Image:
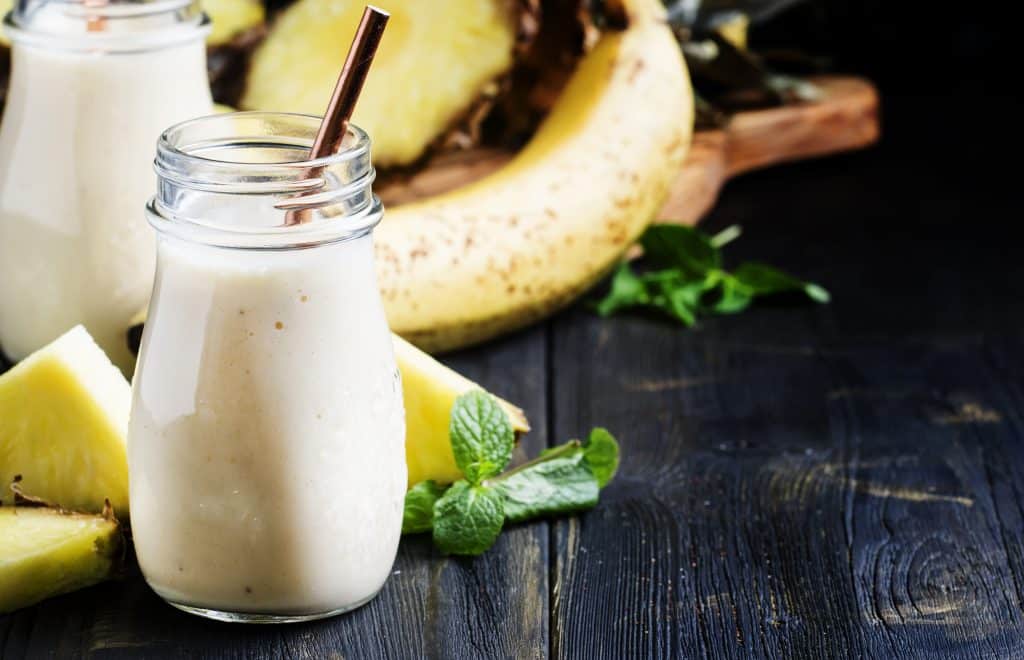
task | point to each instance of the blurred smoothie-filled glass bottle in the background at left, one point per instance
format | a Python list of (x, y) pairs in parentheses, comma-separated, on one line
[(93, 85)]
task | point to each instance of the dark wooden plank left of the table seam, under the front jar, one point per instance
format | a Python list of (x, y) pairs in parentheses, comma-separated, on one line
[(432, 606)]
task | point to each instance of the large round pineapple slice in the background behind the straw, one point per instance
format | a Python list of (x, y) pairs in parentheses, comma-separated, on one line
[(436, 60)]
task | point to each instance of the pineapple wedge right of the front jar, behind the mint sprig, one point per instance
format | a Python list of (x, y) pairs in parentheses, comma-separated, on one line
[(430, 390)]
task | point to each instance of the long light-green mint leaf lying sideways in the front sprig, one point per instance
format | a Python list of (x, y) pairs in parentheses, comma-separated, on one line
[(558, 486)]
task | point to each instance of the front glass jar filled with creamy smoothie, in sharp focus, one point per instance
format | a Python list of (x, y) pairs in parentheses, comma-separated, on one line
[(267, 436)]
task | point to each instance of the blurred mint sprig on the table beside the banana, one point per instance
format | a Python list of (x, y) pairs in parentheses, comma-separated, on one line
[(688, 280)]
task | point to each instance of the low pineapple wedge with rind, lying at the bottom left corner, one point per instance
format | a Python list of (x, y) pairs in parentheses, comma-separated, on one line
[(45, 553)]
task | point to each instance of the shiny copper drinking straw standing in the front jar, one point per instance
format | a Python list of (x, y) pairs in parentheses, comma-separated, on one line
[(347, 93)]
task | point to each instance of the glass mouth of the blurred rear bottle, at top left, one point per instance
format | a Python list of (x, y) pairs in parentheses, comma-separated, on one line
[(106, 26)]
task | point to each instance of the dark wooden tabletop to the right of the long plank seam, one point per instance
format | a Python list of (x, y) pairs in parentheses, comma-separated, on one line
[(808, 482)]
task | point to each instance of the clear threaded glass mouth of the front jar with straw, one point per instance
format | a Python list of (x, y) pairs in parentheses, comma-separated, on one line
[(245, 181)]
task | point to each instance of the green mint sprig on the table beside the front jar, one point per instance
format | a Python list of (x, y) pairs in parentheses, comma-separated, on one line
[(467, 517)]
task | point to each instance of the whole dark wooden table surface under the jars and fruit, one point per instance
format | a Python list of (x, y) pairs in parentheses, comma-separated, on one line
[(798, 482)]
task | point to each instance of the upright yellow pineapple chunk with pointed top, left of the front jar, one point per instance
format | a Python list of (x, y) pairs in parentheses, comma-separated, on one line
[(64, 419)]
